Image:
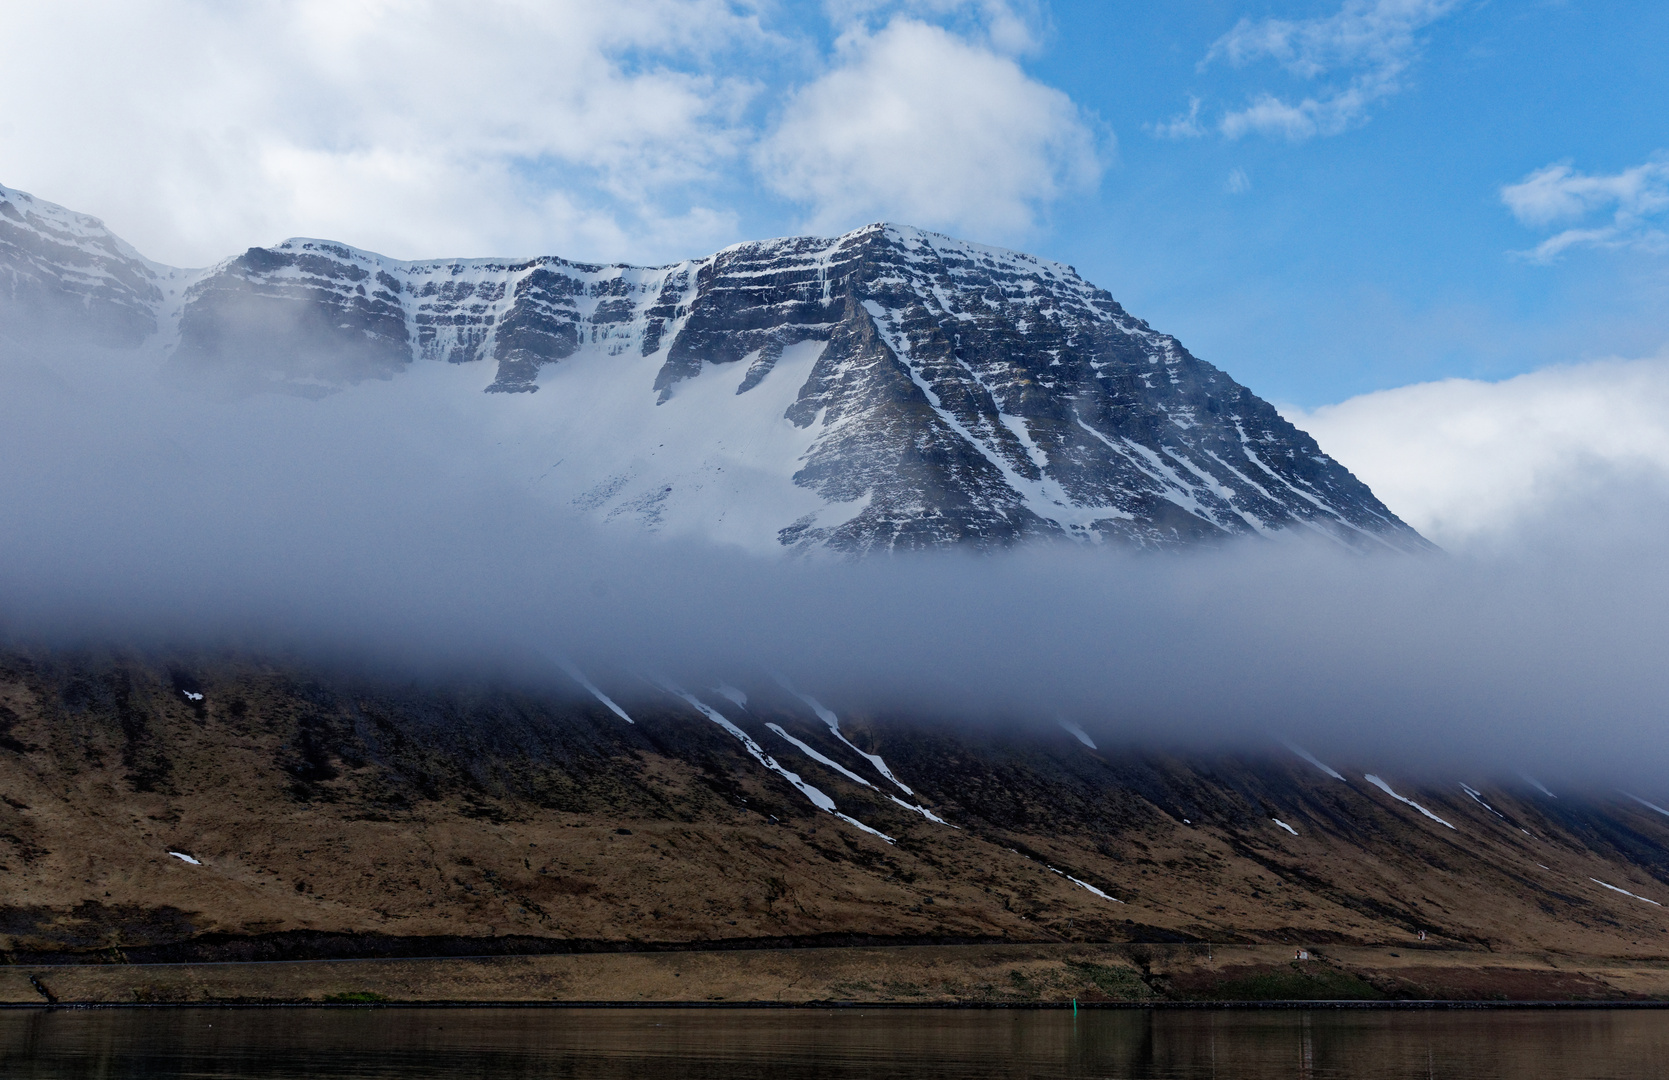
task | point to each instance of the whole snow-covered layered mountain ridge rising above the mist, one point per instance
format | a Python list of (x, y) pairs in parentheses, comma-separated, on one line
[(884, 390)]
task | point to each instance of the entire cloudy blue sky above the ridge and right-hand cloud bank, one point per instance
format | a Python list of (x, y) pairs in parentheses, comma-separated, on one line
[(1353, 235)]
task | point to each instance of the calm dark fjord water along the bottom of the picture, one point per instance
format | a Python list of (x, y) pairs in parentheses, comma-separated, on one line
[(834, 1046)]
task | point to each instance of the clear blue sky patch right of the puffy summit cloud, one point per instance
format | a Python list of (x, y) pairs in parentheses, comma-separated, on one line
[(1381, 255)]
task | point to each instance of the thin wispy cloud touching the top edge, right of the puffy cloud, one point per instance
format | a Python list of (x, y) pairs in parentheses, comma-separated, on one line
[(1368, 43)]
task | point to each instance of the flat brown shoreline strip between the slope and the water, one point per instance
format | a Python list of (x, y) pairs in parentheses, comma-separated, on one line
[(1014, 976)]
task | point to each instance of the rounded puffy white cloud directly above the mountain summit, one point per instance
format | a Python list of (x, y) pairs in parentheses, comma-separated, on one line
[(924, 126)]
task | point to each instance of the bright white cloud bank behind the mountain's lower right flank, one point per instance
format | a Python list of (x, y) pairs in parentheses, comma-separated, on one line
[(1470, 462)]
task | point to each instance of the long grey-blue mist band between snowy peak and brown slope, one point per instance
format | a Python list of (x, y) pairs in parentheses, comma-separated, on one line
[(410, 522)]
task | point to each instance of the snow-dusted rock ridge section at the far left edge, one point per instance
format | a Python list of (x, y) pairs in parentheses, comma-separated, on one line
[(66, 275)]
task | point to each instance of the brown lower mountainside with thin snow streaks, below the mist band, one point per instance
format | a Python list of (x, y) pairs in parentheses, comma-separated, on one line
[(326, 814)]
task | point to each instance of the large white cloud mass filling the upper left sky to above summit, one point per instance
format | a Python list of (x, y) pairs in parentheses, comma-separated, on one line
[(638, 129)]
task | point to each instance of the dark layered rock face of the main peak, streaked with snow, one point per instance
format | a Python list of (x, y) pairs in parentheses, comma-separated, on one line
[(991, 396)]
